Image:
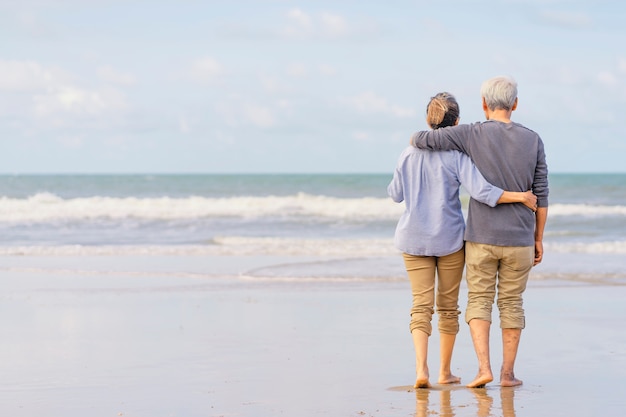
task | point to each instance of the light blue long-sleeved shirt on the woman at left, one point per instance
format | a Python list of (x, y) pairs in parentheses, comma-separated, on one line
[(428, 182)]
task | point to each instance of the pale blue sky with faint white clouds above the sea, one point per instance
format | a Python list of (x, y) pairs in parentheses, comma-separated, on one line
[(243, 86)]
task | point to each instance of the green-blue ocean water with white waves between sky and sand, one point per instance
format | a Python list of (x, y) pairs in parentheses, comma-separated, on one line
[(342, 225)]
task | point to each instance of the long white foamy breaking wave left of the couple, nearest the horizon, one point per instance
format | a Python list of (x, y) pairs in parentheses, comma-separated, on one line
[(45, 207)]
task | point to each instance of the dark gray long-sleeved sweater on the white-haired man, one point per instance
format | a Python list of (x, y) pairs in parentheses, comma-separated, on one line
[(509, 156)]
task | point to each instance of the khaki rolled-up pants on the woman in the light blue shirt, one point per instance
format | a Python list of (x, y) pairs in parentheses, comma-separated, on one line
[(449, 271)]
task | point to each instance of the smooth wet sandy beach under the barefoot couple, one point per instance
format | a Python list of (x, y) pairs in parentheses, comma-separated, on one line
[(179, 336)]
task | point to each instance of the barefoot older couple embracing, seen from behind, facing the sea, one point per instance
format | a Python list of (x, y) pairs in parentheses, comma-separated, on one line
[(503, 239)]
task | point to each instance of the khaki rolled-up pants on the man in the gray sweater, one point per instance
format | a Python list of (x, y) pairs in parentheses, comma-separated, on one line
[(501, 268)]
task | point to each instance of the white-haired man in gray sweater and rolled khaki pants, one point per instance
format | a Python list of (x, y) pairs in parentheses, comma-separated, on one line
[(503, 243)]
